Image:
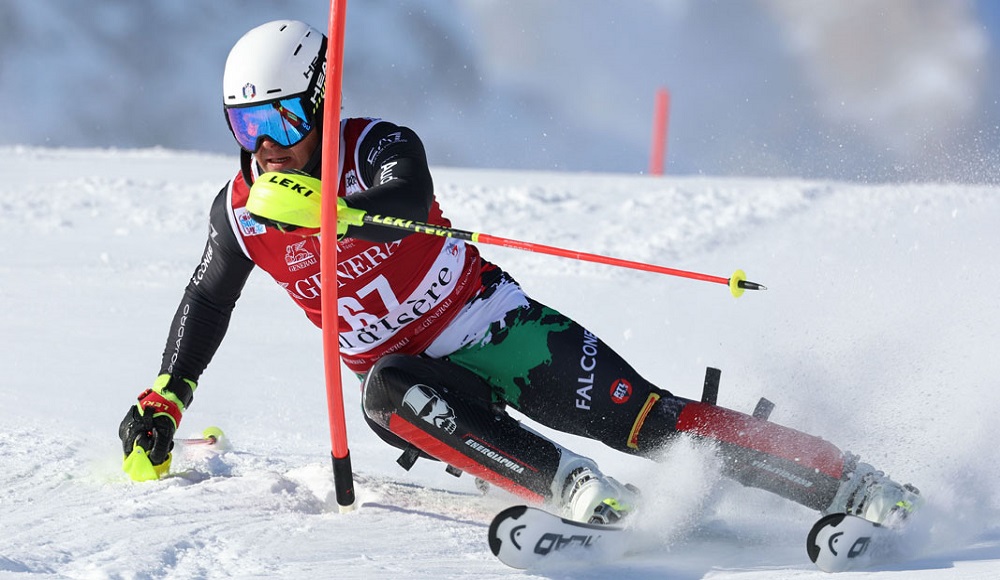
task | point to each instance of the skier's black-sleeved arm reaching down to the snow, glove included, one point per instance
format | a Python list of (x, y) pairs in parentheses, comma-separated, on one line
[(196, 332)]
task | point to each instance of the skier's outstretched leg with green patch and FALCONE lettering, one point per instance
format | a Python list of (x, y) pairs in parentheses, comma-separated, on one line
[(579, 385)]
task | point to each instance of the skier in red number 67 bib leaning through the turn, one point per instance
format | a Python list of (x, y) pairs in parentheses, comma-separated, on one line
[(444, 340)]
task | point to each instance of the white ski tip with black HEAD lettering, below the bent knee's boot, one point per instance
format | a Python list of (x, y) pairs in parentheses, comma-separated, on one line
[(526, 537)]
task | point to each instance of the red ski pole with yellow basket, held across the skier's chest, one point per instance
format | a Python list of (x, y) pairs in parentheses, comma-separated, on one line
[(737, 283)]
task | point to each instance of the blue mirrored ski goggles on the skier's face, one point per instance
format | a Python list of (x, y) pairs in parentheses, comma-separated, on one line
[(284, 121)]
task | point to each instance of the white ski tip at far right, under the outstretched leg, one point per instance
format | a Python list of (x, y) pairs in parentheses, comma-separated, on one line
[(840, 542)]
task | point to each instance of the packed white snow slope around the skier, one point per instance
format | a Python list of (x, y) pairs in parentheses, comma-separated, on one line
[(878, 331)]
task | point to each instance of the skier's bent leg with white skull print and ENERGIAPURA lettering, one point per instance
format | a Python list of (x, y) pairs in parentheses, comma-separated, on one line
[(444, 411)]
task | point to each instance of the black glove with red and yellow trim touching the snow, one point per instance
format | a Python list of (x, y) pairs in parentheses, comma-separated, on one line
[(147, 431)]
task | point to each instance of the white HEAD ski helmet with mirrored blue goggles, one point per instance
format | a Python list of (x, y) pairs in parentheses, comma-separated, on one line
[(281, 64)]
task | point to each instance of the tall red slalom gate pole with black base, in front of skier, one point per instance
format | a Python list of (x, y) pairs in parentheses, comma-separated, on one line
[(343, 477)]
